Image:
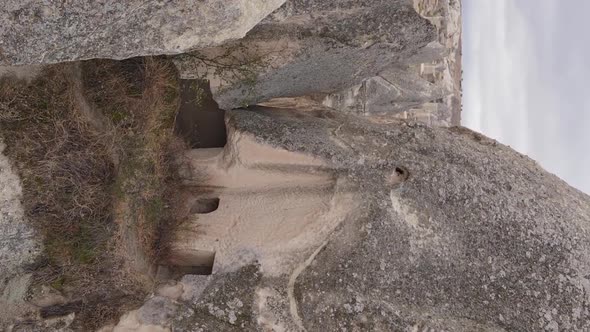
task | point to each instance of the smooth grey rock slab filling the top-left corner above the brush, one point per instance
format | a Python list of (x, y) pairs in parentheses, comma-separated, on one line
[(53, 31)]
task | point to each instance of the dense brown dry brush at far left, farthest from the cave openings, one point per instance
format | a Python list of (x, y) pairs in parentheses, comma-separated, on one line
[(64, 164)]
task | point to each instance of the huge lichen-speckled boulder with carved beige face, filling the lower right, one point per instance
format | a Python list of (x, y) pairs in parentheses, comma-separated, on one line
[(446, 230)]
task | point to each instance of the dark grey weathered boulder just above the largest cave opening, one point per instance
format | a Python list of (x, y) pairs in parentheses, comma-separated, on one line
[(311, 47)]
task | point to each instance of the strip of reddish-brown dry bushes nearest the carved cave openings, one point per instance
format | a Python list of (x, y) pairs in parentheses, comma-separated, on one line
[(144, 119)]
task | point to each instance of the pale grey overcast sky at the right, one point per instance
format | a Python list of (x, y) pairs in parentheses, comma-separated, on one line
[(526, 80)]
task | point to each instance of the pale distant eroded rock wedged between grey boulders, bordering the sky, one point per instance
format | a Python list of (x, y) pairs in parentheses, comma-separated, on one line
[(427, 88)]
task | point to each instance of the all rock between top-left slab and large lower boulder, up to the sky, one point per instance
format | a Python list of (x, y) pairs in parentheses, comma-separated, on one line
[(377, 57)]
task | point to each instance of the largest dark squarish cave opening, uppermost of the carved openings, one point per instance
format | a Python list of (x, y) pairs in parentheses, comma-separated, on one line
[(200, 121)]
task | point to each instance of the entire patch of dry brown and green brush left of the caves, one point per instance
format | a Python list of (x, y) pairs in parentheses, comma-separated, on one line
[(100, 196)]
